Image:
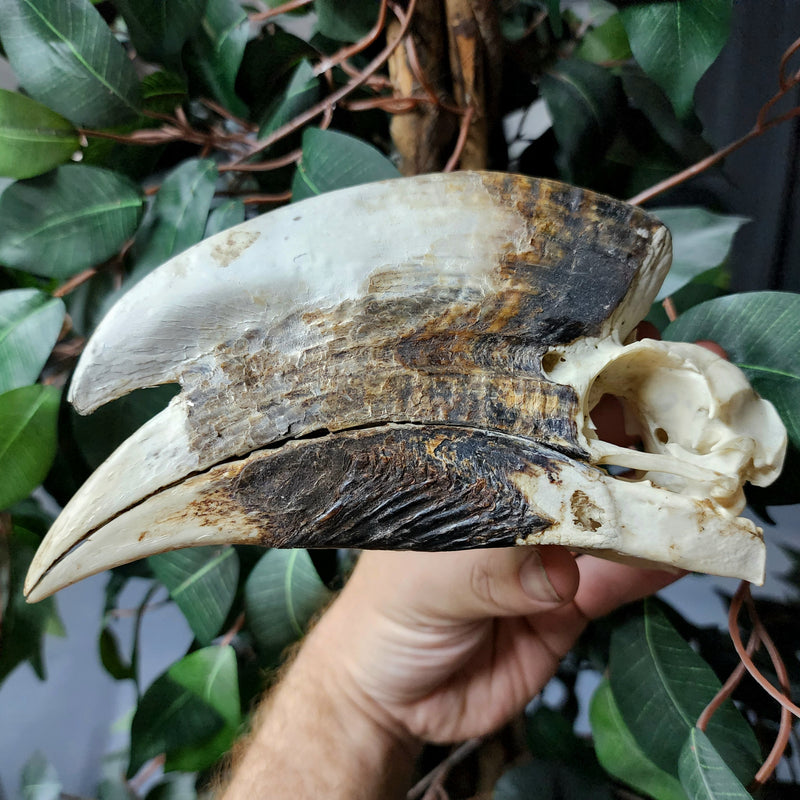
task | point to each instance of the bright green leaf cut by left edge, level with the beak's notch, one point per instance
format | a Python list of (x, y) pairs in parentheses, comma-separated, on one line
[(28, 418)]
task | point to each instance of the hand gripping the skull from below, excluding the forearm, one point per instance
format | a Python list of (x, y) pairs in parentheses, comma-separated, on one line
[(446, 646)]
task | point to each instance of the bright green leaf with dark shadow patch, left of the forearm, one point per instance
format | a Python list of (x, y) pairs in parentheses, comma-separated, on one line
[(190, 713)]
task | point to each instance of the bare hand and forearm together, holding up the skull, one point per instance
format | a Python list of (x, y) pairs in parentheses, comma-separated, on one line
[(450, 650)]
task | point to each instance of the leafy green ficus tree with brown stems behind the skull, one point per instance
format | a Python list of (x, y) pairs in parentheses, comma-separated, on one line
[(139, 129)]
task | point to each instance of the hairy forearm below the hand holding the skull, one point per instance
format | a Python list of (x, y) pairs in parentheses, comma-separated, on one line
[(314, 737)]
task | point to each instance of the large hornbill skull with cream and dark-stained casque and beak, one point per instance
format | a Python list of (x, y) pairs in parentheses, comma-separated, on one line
[(412, 365)]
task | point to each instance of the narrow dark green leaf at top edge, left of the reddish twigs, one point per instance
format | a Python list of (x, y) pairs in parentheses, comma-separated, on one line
[(215, 53)]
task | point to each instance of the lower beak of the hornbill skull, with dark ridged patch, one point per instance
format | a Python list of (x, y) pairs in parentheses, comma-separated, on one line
[(402, 487)]
